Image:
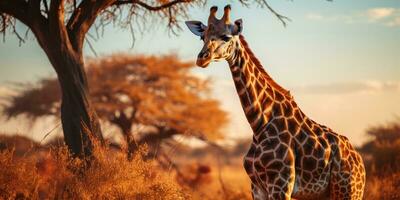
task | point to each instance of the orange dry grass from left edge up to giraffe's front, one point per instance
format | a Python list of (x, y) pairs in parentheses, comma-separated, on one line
[(52, 174)]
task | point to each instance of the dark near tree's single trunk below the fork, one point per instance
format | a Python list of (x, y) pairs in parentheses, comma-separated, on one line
[(79, 120)]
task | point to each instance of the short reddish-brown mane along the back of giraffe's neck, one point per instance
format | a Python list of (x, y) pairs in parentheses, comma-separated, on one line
[(258, 64)]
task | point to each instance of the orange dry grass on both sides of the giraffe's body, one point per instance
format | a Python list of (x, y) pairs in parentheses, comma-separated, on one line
[(43, 173)]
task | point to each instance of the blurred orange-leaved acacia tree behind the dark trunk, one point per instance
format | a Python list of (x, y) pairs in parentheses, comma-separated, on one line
[(158, 94)]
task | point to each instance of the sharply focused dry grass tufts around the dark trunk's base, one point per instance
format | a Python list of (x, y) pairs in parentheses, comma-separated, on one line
[(56, 176)]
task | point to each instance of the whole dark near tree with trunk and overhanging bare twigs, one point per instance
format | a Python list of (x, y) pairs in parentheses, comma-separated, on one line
[(60, 28)]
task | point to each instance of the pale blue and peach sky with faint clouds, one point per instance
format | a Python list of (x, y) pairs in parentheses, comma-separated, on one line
[(340, 59)]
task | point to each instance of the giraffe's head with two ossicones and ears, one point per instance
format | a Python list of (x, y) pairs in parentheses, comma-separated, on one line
[(218, 36)]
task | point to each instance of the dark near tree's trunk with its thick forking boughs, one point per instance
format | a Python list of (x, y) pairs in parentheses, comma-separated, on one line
[(63, 44)]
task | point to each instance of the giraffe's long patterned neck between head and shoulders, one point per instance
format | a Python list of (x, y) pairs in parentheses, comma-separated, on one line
[(260, 96)]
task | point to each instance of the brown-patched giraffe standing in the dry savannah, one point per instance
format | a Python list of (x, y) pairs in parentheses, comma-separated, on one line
[(291, 156)]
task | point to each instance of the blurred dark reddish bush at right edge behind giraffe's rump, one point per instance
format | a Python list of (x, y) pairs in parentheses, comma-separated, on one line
[(383, 150)]
